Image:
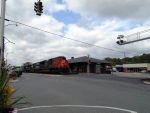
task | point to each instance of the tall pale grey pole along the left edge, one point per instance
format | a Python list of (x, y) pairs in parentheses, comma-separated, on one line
[(3, 4)]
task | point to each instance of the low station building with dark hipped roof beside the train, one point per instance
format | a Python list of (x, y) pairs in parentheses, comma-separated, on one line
[(80, 65)]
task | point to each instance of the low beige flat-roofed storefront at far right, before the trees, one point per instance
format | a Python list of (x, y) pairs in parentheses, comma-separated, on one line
[(136, 67)]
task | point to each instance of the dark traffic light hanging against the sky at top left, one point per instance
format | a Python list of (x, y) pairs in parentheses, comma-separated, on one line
[(38, 8)]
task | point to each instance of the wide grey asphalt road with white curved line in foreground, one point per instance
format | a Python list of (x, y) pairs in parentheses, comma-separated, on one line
[(83, 94)]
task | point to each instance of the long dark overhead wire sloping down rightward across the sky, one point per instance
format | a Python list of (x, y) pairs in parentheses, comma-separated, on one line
[(65, 37)]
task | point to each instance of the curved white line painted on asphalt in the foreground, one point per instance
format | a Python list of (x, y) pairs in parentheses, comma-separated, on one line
[(106, 107)]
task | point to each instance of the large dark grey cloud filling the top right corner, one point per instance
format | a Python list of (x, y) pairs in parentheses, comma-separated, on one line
[(128, 9)]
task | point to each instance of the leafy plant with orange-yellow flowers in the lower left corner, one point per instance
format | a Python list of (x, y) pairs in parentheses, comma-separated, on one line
[(6, 92)]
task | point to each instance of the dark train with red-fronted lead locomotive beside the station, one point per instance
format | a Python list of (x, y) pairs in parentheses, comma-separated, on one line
[(55, 65)]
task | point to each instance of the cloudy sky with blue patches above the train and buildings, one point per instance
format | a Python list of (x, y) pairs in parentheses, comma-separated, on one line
[(97, 22)]
